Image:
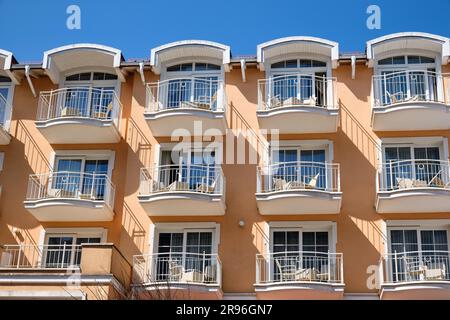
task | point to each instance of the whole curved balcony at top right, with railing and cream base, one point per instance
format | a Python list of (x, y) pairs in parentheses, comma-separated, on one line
[(411, 100)]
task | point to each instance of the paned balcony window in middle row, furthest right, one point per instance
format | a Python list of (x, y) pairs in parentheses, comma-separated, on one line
[(413, 166)]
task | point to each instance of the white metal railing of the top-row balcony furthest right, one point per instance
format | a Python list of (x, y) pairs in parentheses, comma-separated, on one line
[(410, 85)]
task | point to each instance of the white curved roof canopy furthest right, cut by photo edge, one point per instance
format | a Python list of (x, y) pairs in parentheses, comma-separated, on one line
[(404, 41)]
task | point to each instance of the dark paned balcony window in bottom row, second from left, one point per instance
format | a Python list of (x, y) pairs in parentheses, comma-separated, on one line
[(184, 254)]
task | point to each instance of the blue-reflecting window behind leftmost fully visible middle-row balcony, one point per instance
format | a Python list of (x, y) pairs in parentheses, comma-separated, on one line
[(80, 177)]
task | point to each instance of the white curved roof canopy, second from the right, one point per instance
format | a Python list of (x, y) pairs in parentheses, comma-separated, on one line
[(298, 44)]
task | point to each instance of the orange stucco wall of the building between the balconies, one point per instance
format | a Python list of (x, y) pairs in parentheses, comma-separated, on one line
[(359, 235)]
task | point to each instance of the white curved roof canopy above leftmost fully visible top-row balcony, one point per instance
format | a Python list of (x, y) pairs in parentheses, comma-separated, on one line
[(80, 55)]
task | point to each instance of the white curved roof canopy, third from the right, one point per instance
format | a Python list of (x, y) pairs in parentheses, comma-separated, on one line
[(162, 55)]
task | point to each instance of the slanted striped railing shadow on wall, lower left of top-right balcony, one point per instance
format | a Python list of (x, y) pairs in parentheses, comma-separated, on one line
[(358, 135)]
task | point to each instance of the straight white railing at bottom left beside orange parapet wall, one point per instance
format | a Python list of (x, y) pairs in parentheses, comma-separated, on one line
[(31, 256)]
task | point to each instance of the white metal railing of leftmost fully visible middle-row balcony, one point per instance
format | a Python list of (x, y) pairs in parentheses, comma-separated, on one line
[(71, 185)]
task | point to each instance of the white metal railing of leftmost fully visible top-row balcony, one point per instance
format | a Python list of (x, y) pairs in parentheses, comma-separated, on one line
[(80, 102)]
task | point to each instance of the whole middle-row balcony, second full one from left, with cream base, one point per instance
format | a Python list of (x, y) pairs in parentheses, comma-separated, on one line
[(183, 190)]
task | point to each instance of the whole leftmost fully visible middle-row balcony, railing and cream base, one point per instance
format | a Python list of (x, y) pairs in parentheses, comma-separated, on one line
[(70, 196)]
